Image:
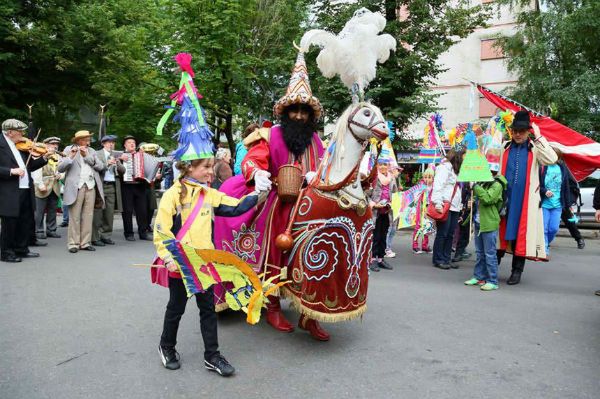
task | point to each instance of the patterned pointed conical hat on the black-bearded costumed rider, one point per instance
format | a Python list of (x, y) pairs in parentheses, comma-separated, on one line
[(299, 91)]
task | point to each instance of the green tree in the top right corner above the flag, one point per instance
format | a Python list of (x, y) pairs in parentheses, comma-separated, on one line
[(556, 54)]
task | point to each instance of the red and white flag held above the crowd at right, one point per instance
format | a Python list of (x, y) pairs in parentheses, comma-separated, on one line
[(581, 154)]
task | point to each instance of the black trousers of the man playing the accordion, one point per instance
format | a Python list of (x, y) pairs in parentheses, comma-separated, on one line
[(134, 198)]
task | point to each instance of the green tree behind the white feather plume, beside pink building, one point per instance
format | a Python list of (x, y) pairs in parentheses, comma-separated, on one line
[(428, 29)]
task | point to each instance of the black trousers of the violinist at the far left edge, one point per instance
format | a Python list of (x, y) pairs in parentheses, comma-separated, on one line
[(16, 231)]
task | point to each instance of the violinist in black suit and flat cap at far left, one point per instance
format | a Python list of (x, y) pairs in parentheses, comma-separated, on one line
[(18, 158)]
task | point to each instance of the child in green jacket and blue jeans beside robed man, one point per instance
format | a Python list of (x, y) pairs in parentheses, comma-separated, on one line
[(489, 200)]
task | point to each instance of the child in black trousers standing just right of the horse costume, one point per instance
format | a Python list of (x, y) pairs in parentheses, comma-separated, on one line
[(385, 186)]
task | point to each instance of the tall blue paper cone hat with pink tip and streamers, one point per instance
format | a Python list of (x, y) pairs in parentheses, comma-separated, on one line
[(194, 136)]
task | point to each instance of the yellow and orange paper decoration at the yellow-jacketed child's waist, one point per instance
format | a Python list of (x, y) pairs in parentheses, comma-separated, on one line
[(202, 268)]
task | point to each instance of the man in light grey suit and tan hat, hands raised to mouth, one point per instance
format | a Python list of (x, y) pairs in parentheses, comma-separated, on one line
[(82, 185)]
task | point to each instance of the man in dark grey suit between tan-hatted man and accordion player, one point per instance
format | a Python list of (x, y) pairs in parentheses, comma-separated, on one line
[(103, 218)]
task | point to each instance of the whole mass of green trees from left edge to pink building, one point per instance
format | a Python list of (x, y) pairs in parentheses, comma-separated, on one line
[(69, 56)]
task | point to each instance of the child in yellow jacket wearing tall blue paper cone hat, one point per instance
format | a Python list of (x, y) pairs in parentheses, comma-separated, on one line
[(185, 213)]
